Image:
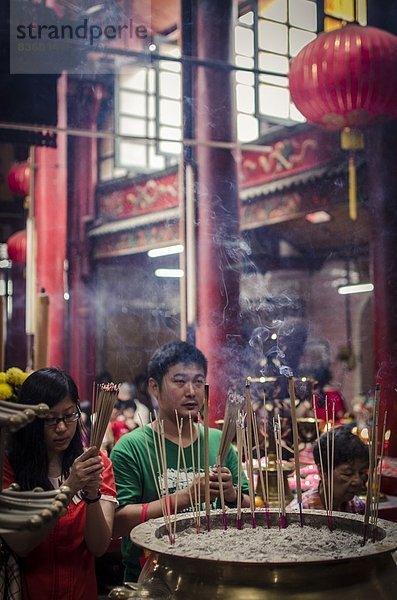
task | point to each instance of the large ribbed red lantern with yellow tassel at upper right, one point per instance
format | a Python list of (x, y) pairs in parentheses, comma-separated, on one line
[(344, 80)]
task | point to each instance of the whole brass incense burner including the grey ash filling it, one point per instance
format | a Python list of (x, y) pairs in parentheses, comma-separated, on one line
[(268, 564)]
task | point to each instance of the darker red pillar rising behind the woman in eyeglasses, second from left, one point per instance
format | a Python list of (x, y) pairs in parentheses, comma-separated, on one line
[(84, 103)]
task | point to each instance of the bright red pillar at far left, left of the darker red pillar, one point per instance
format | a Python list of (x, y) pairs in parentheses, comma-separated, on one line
[(50, 210)]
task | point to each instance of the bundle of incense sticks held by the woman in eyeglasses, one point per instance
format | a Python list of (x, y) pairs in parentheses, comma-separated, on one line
[(103, 401)]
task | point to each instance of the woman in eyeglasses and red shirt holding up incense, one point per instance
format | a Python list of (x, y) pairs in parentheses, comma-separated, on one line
[(57, 561)]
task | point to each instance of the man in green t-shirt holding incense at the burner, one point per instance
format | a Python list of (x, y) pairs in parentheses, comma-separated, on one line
[(177, 374)]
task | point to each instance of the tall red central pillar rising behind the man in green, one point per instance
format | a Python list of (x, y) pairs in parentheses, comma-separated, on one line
[(217, 202)]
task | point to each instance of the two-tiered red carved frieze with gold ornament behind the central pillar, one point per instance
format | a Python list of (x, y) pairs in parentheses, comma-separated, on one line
[(283, 159)]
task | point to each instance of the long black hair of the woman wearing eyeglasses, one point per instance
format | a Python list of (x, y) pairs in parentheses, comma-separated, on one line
[(26, 449)]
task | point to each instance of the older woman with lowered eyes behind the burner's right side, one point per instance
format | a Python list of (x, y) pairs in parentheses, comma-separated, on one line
[(351, 461)]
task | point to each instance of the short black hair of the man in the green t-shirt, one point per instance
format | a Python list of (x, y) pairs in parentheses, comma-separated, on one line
[(171, 354)]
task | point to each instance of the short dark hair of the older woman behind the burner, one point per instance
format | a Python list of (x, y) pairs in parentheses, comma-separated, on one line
[(348, 448)]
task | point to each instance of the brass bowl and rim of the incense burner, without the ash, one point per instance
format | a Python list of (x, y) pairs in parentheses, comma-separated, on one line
[(302, 575)]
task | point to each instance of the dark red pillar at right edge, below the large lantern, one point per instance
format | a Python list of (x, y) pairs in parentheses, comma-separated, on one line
[(382, 152)]
